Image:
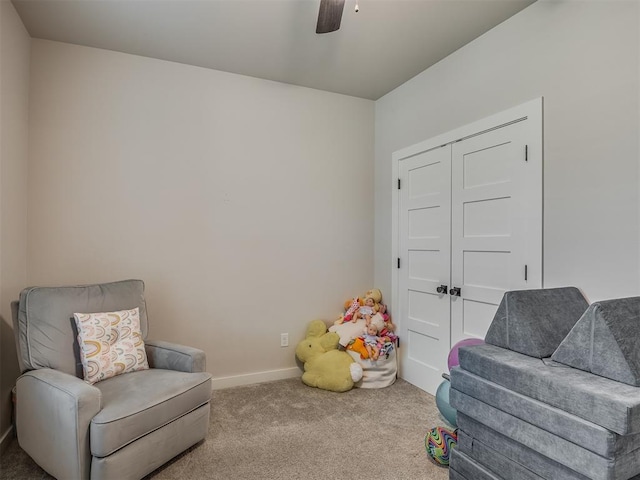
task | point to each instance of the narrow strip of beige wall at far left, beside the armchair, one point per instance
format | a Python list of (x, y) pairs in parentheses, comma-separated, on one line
[(14, 104)]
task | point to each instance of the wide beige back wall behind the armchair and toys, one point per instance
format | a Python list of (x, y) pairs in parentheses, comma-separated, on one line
[(245, 205)]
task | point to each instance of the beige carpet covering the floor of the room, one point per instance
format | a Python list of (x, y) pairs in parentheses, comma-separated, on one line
[(286, 430)]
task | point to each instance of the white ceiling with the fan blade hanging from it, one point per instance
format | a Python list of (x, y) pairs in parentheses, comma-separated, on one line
[(377, 49)]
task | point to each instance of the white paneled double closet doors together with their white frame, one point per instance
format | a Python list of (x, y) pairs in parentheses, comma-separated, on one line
[(469, 223)]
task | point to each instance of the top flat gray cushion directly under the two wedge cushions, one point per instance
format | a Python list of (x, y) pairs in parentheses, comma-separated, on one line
[(610, 404)]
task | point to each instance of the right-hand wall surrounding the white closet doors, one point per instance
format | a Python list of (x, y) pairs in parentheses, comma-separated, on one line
[(582, 57)]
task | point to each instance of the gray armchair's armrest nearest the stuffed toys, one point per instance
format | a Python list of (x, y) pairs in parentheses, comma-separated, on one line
[(171, 356)]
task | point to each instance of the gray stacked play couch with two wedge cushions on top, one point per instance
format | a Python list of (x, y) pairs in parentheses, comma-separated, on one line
[(553, 393)]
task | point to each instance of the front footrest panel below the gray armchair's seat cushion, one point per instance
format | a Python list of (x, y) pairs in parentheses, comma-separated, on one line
[(151, 451)]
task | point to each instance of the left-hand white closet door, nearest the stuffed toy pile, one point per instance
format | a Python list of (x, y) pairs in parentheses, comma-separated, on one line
[(425, 232)]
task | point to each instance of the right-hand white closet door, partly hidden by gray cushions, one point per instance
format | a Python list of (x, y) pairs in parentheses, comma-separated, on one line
[(496, 219)]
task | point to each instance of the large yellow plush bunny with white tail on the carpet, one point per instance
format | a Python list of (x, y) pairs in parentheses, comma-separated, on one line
[(325, 366)]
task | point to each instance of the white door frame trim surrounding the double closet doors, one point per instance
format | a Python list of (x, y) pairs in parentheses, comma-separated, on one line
[(532, 110)]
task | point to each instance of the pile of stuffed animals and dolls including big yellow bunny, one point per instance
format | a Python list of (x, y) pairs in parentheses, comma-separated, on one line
[(330, 368)]
